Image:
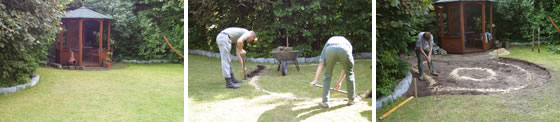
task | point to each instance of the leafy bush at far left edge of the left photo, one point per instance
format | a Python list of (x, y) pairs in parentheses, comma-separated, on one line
[(26, 29)]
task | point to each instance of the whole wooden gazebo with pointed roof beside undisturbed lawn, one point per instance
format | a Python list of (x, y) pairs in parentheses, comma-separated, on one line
[(85, 39)]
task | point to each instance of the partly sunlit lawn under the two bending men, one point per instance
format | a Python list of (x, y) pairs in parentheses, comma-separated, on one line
[(209, 100)]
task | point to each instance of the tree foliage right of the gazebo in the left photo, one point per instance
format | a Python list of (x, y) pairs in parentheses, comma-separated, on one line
[(138, 27)]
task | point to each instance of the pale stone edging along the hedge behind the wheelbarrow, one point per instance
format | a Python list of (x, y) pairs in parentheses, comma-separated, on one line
[(273, 60)]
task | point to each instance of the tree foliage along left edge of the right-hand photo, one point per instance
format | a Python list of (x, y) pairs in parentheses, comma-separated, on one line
[(398, 22)]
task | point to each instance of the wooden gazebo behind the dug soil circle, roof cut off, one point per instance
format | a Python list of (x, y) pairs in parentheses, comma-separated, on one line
[(463, 25)]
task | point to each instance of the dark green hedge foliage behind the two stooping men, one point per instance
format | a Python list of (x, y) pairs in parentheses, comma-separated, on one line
[(307, 24)]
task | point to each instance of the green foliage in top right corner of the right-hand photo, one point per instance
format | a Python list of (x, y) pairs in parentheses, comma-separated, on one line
[(515, 20)]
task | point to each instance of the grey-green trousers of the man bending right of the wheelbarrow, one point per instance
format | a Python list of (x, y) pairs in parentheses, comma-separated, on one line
[(343, 55)]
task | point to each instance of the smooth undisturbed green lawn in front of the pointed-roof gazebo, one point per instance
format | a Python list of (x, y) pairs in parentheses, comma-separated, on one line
[(137, 93)]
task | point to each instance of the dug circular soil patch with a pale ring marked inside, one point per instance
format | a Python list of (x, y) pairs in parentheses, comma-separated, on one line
[(463, 74)]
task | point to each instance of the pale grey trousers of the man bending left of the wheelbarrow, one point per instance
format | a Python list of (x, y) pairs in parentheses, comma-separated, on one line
[(224, 44)]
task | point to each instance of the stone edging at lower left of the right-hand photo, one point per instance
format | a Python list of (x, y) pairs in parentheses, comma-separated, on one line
[(401, 88)]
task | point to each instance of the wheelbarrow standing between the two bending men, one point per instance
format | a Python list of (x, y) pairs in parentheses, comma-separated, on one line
[(283, 57)]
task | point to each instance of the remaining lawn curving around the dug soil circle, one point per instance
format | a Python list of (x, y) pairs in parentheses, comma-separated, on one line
[(539, 104)]
